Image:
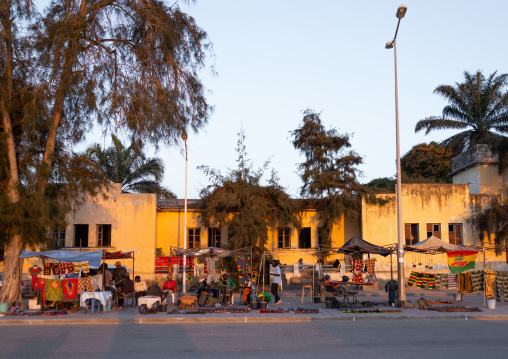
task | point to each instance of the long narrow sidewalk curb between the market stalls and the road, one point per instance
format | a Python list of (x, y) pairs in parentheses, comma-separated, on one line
[(179, 320)]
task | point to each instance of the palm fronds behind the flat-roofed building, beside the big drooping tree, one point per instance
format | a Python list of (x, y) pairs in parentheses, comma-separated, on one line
[(130, 167)]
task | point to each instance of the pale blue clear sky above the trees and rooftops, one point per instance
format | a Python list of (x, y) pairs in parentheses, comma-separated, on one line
[(277, 58)]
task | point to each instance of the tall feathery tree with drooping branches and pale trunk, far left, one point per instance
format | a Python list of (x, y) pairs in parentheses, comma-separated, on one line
[(128, 65)]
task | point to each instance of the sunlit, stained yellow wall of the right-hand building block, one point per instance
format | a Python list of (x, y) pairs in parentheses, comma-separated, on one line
[(442, 204)]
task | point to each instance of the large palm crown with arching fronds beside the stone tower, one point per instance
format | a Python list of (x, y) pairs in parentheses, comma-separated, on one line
[(479, 106)]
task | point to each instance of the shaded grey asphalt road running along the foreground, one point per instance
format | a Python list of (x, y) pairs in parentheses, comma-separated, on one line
[(361, 339)]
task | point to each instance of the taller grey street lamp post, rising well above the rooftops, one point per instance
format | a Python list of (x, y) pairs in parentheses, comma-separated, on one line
[(401, 11)]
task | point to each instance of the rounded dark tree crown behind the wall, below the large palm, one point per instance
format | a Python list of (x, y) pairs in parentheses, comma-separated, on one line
[(427, 163)]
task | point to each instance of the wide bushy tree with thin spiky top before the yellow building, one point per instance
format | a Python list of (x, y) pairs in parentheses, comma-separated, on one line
[(240, 202)]
